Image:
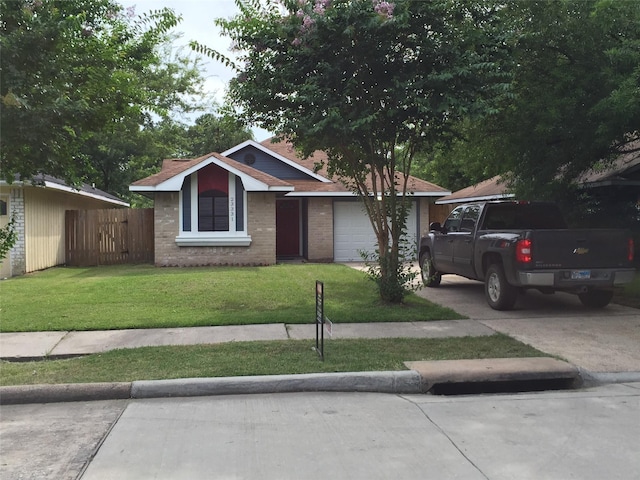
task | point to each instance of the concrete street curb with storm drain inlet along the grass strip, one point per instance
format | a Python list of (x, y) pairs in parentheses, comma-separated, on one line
[(421, 378)]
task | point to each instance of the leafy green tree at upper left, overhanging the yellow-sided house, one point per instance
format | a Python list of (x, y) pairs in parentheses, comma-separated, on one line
[(74, 77)]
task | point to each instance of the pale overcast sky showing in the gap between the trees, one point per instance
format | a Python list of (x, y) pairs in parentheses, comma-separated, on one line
[(197, 24)]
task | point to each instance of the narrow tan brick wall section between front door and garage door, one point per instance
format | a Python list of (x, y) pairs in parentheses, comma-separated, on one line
[(320, 229)]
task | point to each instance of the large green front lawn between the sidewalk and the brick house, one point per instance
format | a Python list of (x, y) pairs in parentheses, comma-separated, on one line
[(118, 297)]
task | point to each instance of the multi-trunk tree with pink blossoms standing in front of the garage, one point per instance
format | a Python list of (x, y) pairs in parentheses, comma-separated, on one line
[(369, 82)]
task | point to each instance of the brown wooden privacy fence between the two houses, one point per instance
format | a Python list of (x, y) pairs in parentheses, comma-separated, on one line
[(108, 237)]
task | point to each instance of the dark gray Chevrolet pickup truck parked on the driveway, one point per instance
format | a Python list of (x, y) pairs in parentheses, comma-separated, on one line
[(513, 246)]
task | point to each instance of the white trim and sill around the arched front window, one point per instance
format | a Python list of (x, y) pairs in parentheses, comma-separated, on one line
[(230, 238)]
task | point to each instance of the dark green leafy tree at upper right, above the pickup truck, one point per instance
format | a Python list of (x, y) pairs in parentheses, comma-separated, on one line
[(575, 103)]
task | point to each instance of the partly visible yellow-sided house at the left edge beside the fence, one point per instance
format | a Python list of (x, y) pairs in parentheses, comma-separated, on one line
[(39, 209)]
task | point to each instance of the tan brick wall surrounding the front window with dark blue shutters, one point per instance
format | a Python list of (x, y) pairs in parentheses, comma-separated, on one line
[(261, 228)]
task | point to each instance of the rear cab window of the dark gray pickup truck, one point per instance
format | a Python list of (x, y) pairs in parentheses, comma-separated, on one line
[(518, 216)]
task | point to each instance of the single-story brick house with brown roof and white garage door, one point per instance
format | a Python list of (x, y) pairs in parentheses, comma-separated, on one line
[(259, 202)]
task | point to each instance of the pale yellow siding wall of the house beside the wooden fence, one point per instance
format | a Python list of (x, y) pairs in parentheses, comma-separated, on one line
[(44, 224)]
